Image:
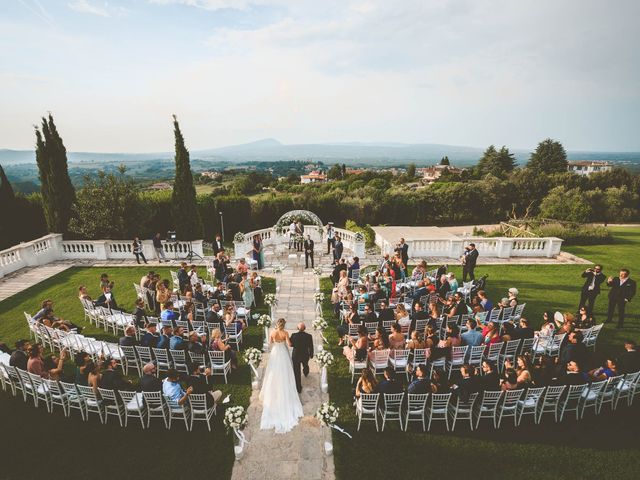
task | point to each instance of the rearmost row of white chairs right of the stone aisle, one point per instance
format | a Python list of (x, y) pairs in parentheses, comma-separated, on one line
[(496, 405)]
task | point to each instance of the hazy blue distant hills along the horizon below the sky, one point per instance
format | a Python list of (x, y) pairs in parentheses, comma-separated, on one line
[(351, 153)]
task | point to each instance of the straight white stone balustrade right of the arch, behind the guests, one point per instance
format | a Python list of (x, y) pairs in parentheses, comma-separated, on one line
[(501, 247)]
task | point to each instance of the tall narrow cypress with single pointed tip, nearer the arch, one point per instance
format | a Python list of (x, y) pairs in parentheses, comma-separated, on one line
[(186, 217)]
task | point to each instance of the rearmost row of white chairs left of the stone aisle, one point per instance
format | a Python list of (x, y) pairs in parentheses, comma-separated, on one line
[(118, 403)]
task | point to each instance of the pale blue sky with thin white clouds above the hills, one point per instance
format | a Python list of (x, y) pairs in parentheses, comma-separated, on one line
[(460, 72)]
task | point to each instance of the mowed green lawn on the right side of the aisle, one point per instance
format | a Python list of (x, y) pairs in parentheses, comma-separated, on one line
[(600, 447)]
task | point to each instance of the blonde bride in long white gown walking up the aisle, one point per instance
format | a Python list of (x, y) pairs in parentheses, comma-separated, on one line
[(281, 405)]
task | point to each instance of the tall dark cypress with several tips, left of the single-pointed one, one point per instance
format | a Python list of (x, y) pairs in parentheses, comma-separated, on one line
[(57, 190)]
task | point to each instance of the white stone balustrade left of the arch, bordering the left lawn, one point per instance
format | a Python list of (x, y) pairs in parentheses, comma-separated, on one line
[(51, 248)]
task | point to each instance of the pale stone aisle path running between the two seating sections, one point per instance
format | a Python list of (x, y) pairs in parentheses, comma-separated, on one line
[(298, 454)]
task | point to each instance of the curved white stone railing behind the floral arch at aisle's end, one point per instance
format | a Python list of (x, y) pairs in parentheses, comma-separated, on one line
[(270, 236)]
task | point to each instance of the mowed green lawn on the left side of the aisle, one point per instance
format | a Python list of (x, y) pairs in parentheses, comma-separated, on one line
[(36, 443)]
